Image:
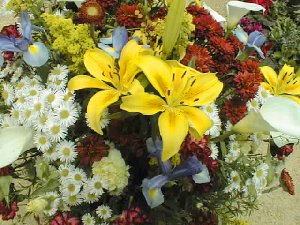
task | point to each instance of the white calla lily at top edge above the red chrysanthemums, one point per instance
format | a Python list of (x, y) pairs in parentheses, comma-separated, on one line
[(235, 10)]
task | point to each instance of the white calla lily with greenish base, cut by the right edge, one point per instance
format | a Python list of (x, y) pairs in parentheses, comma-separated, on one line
[(277, 114)]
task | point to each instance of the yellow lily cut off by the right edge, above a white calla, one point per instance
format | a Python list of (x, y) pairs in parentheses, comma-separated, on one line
[(286, 84)]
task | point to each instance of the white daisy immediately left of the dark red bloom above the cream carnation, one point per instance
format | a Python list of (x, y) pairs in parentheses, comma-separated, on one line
[(66, 151)]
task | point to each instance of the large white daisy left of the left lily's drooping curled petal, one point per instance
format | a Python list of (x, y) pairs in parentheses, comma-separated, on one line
[(66, 113)]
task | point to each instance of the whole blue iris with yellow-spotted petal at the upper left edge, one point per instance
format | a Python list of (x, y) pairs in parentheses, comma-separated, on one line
[(34, 54)]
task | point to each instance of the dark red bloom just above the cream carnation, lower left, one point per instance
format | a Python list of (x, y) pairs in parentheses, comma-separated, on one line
[(90, 149)]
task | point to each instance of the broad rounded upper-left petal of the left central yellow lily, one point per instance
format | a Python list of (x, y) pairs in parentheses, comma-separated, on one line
[(99, 64)]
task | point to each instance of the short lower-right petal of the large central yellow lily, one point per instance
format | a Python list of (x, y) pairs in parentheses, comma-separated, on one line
[(198, 120)]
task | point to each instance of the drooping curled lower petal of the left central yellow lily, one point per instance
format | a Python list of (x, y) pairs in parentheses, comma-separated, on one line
[(97, 104)]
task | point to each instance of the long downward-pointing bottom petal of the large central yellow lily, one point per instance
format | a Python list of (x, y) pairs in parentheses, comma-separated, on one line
[(173, 128)]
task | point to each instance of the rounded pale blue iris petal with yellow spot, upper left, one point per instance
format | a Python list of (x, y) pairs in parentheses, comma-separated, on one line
[(36, 55)]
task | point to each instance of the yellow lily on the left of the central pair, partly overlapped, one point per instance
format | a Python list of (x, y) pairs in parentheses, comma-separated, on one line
[(113, 80)]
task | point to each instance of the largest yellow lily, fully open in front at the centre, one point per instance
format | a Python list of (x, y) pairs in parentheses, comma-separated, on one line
[(181, 88)]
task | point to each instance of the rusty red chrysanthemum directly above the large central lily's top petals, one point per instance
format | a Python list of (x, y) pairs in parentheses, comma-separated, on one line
[(202, 57)]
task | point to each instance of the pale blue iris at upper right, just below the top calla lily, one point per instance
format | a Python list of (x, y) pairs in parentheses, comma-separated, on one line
[(254, 40)]
